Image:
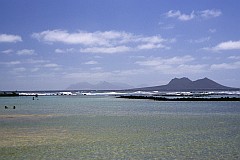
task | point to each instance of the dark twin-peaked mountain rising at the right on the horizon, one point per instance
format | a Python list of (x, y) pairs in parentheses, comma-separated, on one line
[(185, 84)]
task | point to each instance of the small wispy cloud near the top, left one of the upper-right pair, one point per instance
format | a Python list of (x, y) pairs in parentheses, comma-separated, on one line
[(180, 16)]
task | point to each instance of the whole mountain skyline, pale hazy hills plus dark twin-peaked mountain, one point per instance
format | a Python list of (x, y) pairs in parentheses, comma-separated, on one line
[(175, 84)]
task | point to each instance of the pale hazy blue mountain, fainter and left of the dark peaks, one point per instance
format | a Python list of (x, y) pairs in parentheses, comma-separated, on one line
[(99, 86)]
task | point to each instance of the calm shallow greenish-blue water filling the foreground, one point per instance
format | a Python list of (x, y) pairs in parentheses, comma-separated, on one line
[(106, 127)]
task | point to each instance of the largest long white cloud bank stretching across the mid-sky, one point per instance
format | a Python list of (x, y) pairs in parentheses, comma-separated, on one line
[(102, 42)]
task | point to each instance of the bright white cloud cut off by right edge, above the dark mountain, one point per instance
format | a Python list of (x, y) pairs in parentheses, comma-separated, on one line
[(229, 45)]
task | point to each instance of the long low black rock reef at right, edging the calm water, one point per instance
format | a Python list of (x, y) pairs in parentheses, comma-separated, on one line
[(181, 99)]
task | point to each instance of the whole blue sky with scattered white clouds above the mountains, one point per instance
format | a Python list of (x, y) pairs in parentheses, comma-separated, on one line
[(51, 44)]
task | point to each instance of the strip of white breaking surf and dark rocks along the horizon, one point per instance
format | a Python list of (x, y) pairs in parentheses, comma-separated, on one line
[(151, 95)]
